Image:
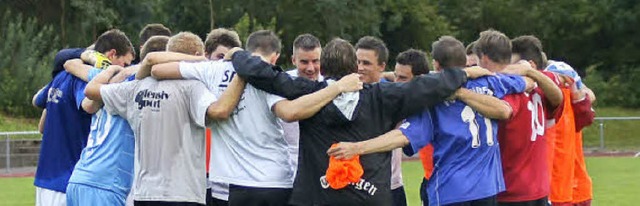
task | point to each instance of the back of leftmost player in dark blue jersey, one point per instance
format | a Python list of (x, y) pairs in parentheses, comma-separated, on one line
[(65, 131)]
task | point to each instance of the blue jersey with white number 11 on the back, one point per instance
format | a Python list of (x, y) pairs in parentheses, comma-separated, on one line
[(466, 153)]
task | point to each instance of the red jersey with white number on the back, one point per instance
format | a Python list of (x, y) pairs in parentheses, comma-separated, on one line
[(523, 146)]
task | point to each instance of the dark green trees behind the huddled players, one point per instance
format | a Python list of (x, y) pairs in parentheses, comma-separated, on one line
[(597, 34)]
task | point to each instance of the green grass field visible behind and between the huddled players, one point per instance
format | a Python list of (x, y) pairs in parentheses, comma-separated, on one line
[(616, 181)]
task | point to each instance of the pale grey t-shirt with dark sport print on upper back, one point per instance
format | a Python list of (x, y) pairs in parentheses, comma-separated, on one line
[(168, 120)]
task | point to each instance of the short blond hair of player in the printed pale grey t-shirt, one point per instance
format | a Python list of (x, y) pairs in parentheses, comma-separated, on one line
[(186, 43)]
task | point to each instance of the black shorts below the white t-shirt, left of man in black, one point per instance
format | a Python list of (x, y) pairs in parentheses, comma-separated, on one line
[(250, 196)]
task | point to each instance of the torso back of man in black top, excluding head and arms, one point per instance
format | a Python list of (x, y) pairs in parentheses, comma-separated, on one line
[(320, 131)]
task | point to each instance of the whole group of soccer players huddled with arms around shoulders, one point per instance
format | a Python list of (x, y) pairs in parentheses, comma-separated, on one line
[(503, 132)]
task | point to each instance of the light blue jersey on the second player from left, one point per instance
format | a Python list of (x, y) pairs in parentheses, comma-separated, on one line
[(107, 160)]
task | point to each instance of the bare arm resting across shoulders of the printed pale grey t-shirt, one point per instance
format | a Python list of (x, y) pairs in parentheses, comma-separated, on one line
[(154, 58)]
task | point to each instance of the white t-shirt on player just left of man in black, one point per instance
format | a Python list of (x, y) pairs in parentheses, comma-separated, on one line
[(249, 148)]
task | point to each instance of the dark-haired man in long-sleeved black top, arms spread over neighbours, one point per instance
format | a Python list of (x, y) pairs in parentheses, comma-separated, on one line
[(351, 117)]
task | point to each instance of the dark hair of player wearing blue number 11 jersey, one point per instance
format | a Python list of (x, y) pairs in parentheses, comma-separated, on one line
[(449, 52)]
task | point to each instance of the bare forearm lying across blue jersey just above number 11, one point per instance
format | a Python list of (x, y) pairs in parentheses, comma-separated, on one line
[(489, 106)]
